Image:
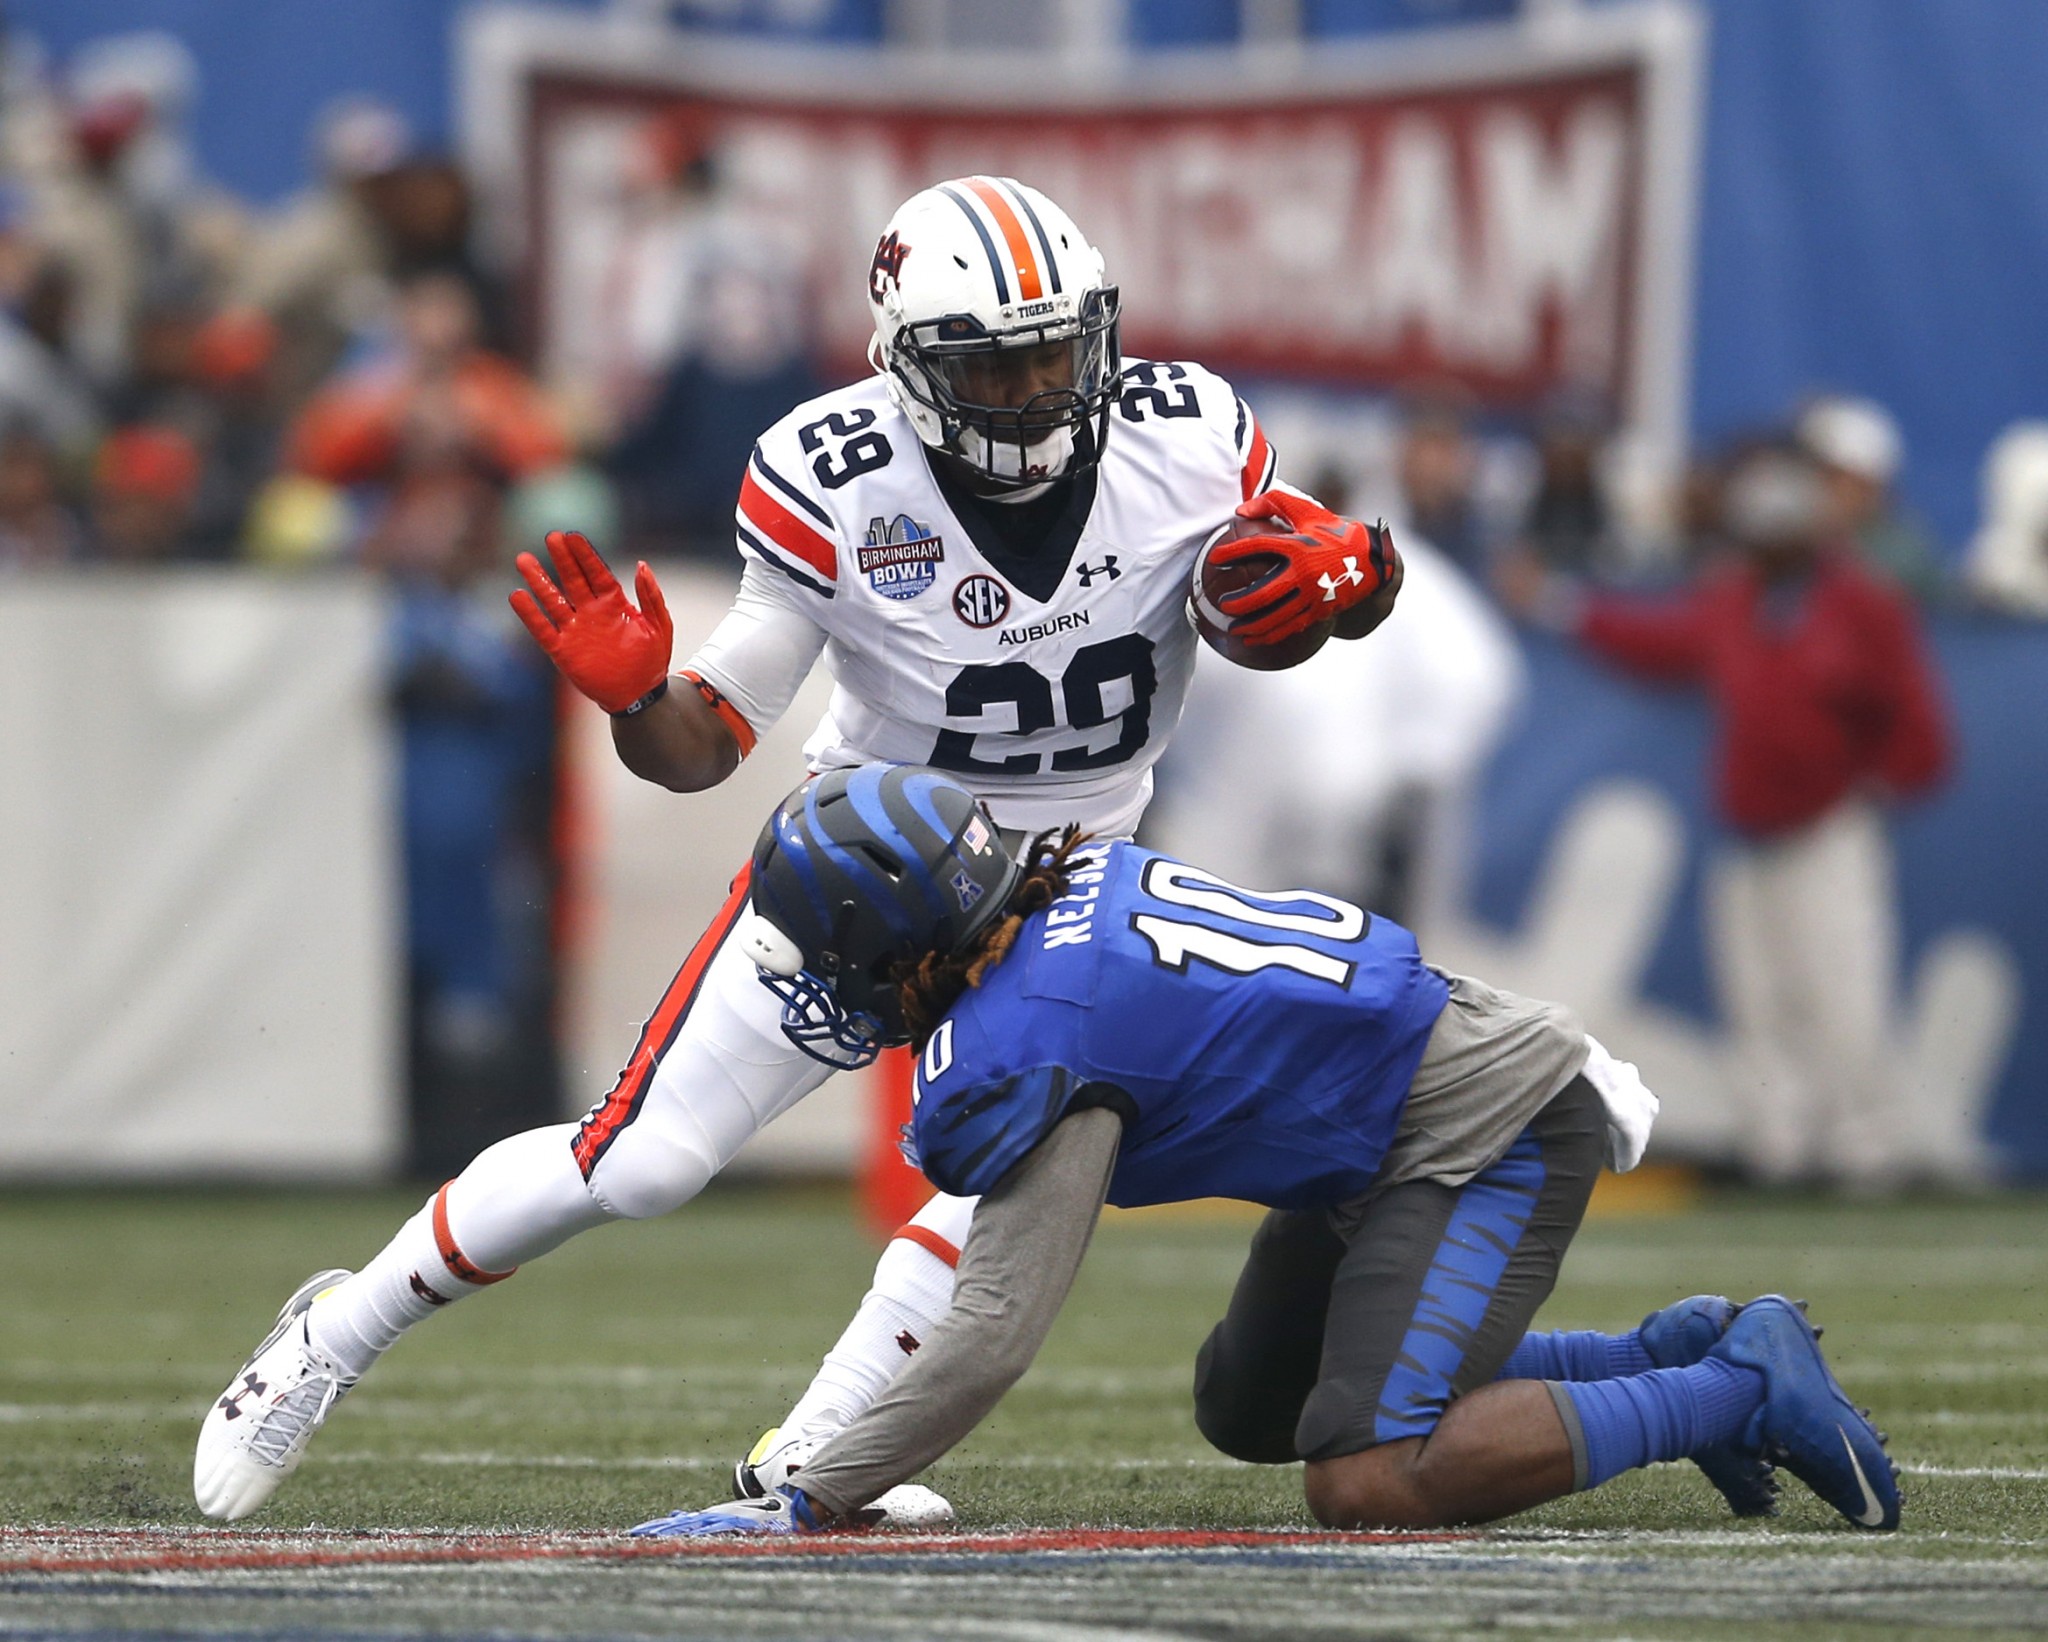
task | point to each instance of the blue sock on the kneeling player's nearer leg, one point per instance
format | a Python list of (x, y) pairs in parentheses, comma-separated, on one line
[(1668, 1414)]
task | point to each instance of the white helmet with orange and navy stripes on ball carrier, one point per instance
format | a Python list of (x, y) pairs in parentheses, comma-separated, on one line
[(996, 329)]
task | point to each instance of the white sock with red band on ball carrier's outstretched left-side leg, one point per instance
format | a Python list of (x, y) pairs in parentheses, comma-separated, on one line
[(513, 1203)]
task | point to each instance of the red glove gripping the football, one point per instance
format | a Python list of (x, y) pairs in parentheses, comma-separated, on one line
[(1332, 564)]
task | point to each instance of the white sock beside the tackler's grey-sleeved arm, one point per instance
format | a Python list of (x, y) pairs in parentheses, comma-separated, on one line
[(912, 1293)]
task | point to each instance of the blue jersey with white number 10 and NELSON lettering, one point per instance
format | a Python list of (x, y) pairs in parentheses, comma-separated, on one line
[(1258, 1045)]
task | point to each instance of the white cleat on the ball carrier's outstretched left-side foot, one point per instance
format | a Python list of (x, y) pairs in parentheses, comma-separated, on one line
[(257, 1432)]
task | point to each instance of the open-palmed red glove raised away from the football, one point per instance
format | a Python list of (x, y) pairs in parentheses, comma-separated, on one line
[(605, 648)]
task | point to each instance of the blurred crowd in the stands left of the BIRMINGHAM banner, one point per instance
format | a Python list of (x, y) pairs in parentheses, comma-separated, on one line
[(187, 380)]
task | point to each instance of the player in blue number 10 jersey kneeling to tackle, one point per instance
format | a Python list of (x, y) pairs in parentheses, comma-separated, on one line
[(1099, 1023)]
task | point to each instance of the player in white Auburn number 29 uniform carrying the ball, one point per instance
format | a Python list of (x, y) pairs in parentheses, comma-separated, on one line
[(992, 542)]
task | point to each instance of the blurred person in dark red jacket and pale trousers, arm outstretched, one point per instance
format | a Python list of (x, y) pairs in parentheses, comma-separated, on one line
[(1826, 707)]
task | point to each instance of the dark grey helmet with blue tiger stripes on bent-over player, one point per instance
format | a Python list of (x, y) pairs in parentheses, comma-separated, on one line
[(855, 873)]
